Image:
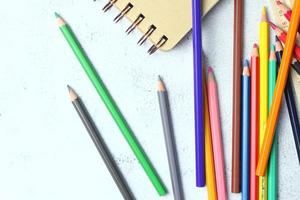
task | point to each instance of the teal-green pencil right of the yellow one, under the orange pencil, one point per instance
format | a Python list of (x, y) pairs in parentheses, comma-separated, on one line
[(273, 162)]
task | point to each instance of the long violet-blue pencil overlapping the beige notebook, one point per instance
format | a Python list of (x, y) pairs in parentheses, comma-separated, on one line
[(198, 93)]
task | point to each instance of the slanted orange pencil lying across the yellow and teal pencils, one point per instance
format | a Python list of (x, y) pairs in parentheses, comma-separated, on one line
[(279, 89)]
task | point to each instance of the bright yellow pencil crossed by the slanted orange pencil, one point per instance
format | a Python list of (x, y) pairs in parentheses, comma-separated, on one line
[(263, 93)]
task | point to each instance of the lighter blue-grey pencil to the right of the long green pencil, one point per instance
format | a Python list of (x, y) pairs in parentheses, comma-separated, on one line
[(169, 140)]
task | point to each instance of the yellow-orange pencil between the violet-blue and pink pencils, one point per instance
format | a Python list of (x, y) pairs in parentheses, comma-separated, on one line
[(209, 155)]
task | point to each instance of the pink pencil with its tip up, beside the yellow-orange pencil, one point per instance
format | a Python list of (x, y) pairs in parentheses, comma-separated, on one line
[(216, 134)]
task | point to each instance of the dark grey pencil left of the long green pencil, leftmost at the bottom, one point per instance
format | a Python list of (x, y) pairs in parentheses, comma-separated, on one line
[(100, 145)]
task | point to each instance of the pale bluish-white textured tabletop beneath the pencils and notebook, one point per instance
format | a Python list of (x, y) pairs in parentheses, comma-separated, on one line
[(45, 151)]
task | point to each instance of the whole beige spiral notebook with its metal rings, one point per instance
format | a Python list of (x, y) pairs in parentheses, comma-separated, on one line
[(163, 22)]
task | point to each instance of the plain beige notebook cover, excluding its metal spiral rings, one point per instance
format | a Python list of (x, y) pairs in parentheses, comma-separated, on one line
[(171, 18)]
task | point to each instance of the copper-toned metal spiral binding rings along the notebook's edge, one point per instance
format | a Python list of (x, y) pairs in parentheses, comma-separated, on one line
[(136, 22)]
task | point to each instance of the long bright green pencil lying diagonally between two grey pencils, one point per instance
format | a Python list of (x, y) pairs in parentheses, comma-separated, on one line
[(110, 105)]
